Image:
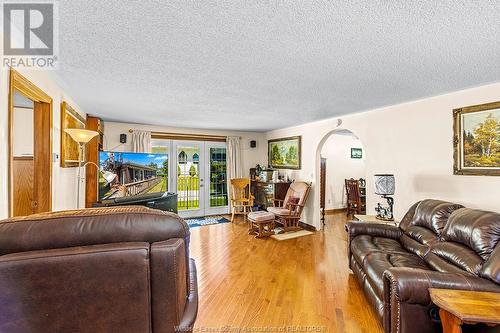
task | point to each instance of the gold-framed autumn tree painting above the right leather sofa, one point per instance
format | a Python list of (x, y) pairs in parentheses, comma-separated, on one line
[(477, 140)]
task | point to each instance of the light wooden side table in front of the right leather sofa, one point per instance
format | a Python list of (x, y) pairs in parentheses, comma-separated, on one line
[(457, 307)]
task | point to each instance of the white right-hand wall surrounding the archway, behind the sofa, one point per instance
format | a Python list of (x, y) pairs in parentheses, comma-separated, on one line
[(412, 140)]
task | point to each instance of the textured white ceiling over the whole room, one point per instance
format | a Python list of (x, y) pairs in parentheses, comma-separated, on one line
[(260, 65)]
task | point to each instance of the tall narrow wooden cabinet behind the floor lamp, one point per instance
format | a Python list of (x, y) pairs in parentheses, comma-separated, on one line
[(91, 172)]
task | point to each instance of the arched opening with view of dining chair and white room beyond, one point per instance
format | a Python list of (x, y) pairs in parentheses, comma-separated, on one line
[(342, 174)]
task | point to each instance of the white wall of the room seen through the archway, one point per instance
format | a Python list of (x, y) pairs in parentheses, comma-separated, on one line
[(340, 166)]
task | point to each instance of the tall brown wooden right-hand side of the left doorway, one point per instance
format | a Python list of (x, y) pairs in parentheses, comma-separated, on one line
[(42, 158)]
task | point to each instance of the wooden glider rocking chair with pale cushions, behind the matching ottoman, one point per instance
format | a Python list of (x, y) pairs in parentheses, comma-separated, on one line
[(289, 210)]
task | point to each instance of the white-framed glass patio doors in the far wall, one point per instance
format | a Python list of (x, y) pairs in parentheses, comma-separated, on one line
[(197, 173)]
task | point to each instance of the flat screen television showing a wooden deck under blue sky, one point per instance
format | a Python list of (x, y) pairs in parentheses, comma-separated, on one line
[(131, 174)]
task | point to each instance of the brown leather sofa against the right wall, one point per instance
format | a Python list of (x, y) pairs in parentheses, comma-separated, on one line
[(437, 244)]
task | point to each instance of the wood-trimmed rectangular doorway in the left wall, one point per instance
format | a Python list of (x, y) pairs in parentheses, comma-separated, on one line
[(30, 148)]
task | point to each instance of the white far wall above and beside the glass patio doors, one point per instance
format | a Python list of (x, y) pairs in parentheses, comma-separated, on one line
[(250, 156)]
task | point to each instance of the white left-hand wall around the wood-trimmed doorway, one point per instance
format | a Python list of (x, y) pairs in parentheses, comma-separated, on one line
[(63, 179)]
